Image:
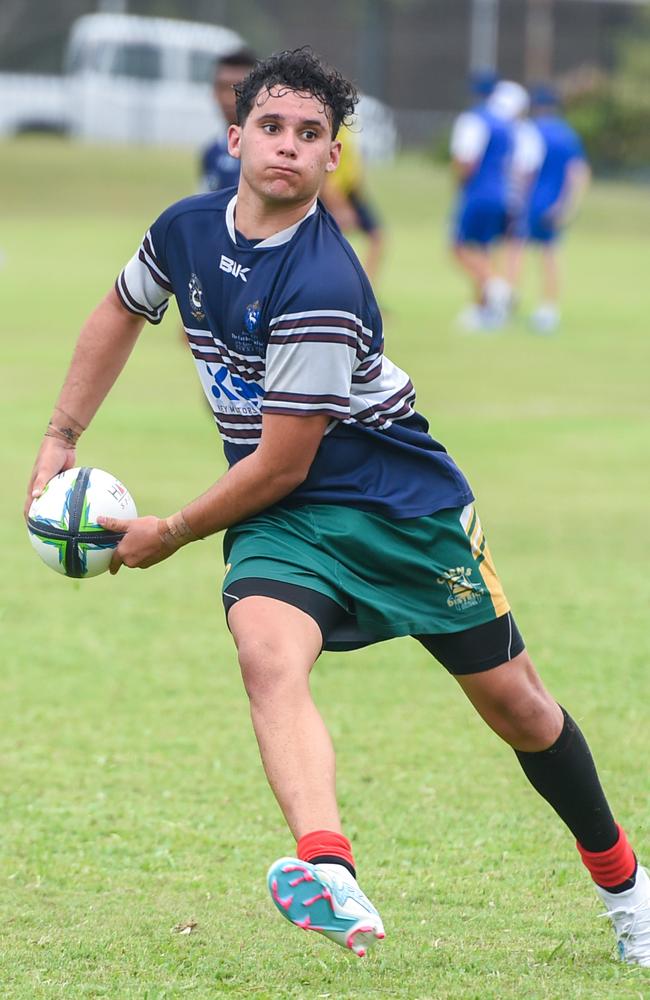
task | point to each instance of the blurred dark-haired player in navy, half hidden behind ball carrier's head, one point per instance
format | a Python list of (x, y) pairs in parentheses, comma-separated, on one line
[(218, 168)]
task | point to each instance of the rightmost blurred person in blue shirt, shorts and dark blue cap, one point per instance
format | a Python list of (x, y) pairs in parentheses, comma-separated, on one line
[(551, 169)]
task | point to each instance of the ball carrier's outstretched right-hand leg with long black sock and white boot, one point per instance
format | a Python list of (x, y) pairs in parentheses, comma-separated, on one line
[(556, 760)]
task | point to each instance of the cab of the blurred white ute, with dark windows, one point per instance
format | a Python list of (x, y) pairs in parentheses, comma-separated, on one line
[(144, 79)]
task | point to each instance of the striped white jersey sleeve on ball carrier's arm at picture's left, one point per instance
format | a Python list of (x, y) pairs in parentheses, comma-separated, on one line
[(143, 284)]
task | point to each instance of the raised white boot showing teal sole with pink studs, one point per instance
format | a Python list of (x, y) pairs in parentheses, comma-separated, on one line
[(325, 898)]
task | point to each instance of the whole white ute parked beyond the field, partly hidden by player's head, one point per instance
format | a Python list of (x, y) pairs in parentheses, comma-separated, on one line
[(146, 80)]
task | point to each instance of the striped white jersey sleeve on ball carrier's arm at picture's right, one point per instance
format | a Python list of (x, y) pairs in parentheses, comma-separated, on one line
[(312, 352)]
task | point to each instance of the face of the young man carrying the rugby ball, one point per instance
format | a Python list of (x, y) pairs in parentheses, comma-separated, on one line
[(285, 146)]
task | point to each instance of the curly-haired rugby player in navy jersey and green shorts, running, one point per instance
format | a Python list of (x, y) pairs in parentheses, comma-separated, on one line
[(346, 522)]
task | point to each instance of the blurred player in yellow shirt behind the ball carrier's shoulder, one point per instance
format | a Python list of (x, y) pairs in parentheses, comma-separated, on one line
[(345, 196)]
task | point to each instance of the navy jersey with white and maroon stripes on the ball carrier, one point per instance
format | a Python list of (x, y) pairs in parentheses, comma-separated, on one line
[(290, 325)]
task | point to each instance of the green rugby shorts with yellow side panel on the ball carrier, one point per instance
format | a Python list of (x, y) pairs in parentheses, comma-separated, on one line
[(416, 576)]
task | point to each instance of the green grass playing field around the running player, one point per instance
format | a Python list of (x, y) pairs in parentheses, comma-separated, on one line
[(132, 797)]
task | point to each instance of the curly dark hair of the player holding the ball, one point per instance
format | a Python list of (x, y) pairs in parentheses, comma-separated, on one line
[(300, 70)]
